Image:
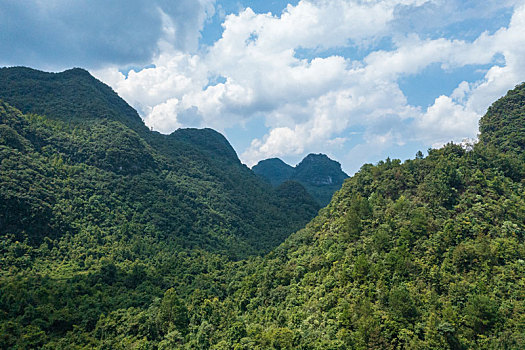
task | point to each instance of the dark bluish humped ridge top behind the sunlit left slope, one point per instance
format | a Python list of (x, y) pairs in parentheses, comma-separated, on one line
[(62, 96)]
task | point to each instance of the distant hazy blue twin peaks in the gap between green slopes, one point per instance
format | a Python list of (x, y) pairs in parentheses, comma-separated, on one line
[(320, 175)]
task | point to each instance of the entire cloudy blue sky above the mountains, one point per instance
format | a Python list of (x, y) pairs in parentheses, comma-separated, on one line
[(358, 80)]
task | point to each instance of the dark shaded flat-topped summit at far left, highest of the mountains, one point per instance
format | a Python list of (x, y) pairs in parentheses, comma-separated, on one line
[(72, 96)]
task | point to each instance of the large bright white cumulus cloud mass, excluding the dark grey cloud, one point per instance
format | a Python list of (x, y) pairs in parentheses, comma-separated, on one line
[(317, 103)]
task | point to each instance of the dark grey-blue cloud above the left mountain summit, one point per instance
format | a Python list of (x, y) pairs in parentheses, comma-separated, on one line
[(56, 34)]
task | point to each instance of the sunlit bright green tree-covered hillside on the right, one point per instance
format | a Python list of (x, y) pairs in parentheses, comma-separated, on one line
[(424, 254)]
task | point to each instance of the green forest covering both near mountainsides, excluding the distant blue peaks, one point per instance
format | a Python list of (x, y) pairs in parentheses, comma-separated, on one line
[(113, 236)]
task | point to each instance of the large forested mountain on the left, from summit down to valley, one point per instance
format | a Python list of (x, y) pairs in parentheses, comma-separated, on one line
[(100, 214)]
